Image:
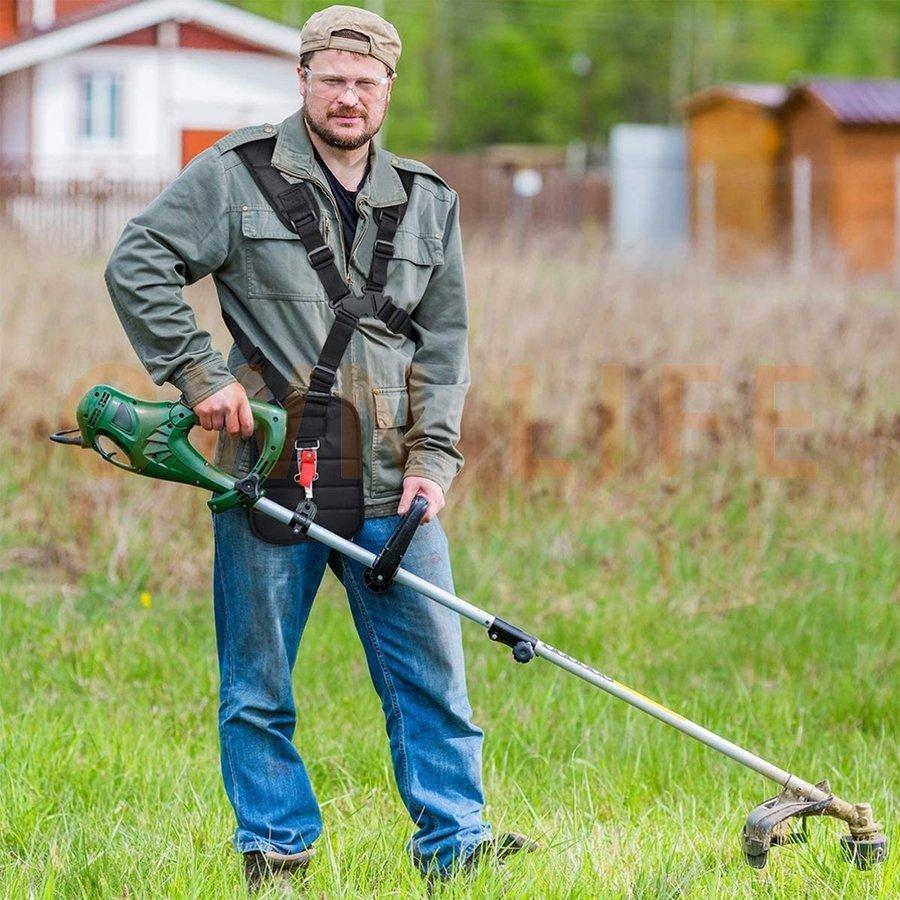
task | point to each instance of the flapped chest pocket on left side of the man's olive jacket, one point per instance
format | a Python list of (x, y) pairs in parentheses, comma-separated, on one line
[(275, 260)]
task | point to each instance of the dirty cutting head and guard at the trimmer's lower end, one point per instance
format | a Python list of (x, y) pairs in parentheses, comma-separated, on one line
[(769, 826)]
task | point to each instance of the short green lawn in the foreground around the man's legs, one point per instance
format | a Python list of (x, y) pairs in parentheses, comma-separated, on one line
[(768, 614)]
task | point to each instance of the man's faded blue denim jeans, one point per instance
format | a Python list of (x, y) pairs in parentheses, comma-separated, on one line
[(263, 594)]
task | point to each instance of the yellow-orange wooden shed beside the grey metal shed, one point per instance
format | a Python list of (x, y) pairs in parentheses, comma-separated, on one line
[(736, 180)]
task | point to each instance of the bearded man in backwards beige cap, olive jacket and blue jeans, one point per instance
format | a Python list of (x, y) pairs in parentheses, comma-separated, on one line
[(408, 391)]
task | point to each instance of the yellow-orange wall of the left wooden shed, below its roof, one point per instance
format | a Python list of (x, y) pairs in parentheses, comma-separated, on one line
[(743, 142)]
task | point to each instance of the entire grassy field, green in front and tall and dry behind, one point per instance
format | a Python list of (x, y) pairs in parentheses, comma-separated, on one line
[(765, 609)]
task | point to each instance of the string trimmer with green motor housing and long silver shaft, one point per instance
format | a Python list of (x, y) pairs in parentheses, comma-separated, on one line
[(154, 438)]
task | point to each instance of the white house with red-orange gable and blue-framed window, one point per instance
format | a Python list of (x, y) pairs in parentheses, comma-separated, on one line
[(130, 90)]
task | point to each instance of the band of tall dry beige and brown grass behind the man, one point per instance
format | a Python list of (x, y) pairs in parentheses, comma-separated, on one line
[(581, 367)]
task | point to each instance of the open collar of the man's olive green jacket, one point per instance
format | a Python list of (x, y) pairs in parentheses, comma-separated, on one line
[(294, 155)]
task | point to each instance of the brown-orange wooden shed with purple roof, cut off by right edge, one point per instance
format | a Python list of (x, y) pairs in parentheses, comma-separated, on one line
[(842, 150)]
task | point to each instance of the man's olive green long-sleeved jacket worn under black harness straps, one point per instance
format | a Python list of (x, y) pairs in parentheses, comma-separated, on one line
[(213, 220)]
